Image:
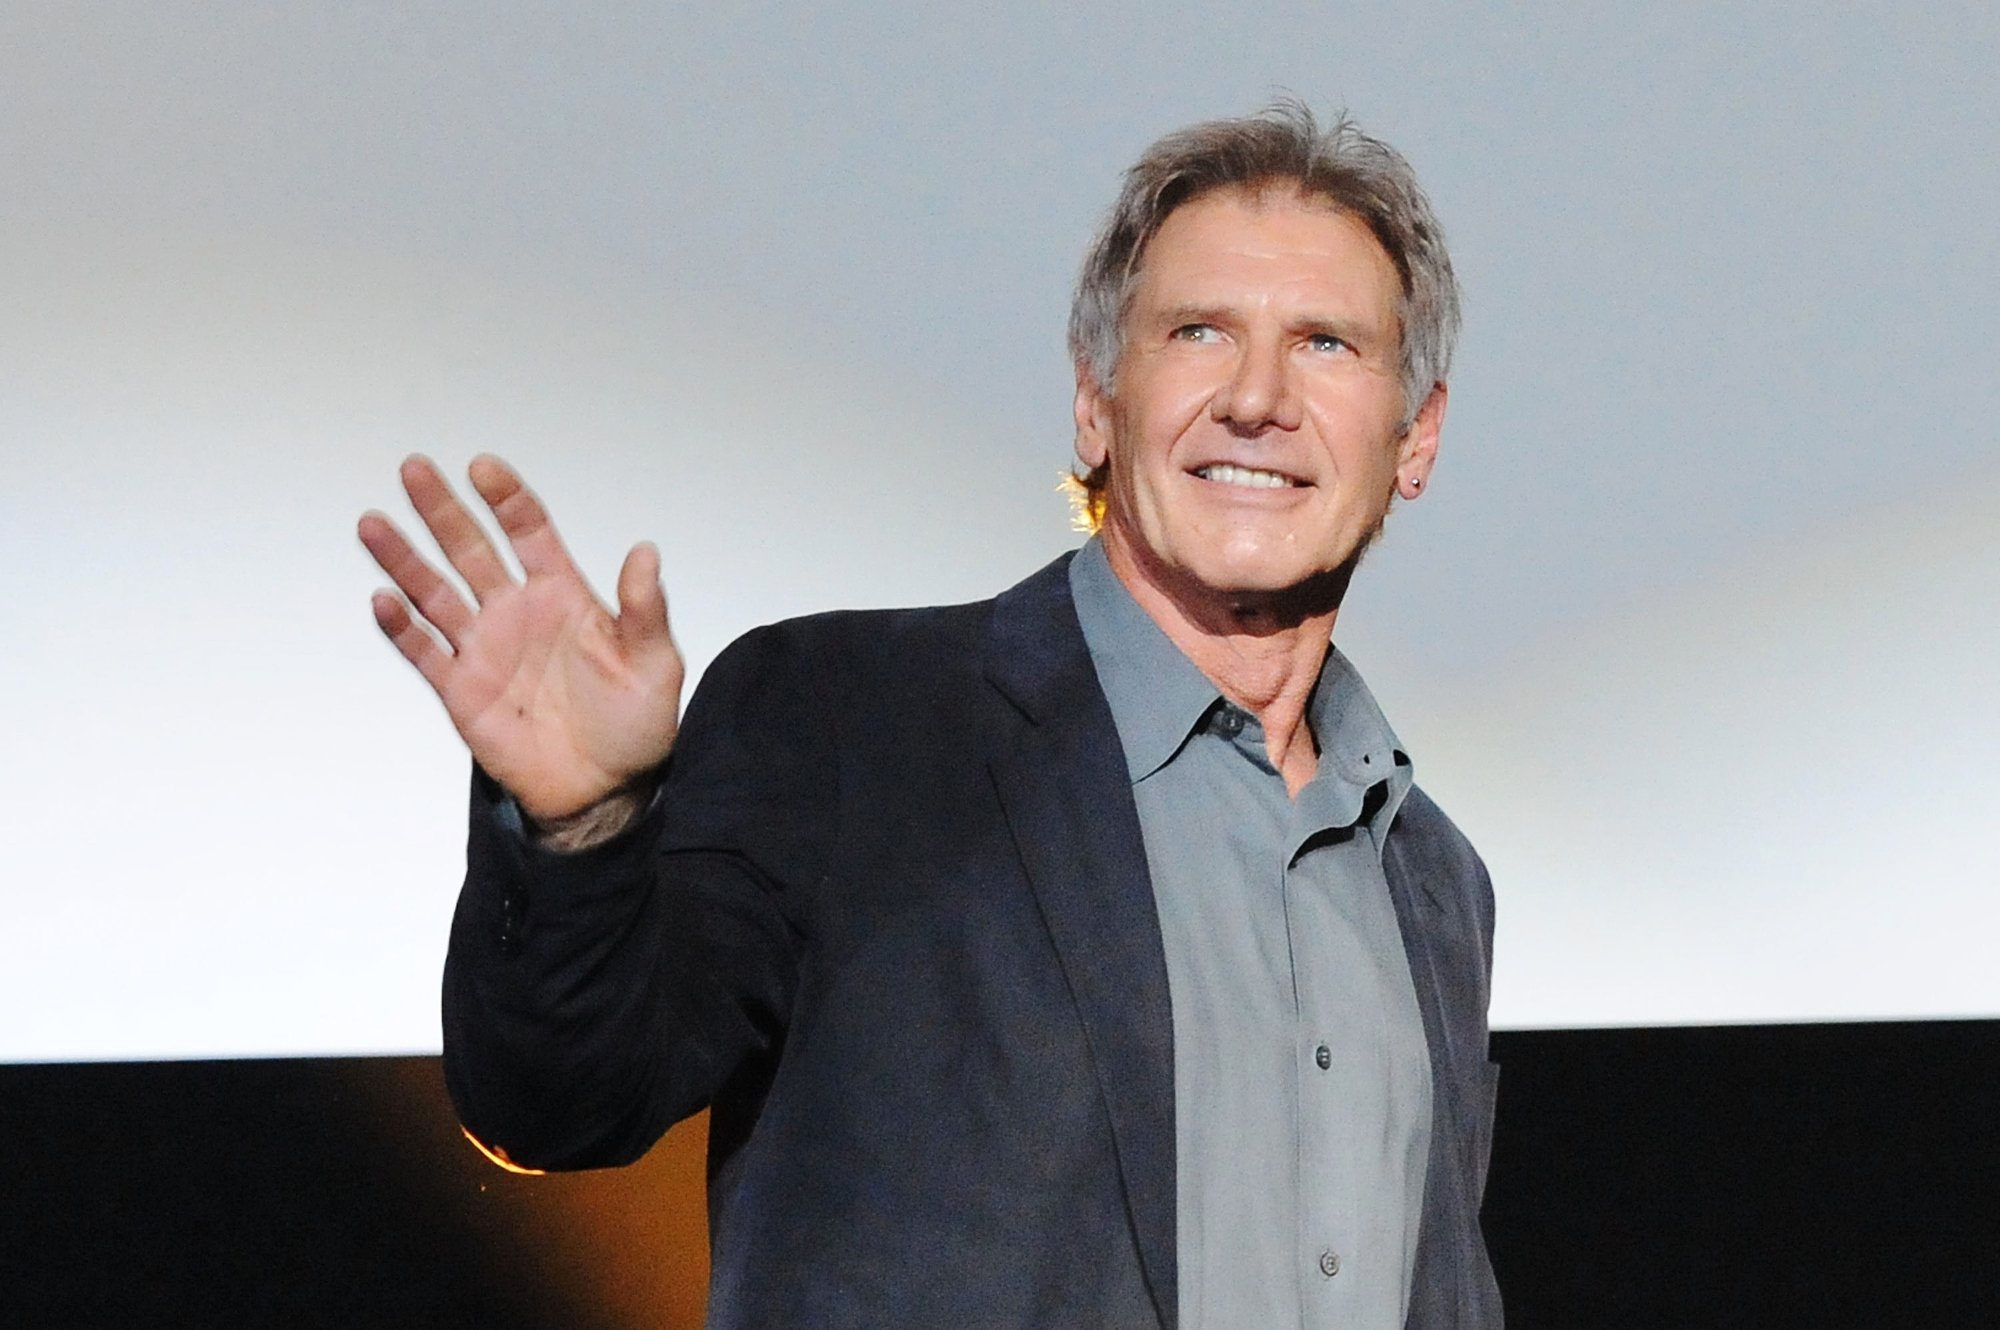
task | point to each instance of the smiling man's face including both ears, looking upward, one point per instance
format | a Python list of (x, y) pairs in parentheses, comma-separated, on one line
[(1255, 435)]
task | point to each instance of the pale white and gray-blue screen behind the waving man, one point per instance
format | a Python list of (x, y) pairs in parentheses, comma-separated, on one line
[(1695, 635)]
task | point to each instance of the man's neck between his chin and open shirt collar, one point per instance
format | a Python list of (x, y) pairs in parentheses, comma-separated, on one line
[(1263, 651)]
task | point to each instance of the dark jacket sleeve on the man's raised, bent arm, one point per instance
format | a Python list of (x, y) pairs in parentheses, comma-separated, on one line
[(591, 1001)]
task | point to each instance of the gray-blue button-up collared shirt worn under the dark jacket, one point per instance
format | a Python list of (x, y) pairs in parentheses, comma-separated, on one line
[(1301, 1071)]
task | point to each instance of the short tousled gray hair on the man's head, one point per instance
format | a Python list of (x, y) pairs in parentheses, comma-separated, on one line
[(1283, 145)]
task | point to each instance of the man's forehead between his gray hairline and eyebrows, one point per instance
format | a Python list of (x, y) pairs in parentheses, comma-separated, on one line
[(1263, 243)]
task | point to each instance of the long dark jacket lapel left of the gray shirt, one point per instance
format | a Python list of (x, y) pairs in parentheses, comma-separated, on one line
[(1063, 783)]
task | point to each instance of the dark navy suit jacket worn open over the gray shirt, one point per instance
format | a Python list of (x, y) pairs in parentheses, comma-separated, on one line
[(891, 921)]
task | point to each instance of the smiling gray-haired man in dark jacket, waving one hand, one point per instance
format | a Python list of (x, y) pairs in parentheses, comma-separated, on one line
[(1073, 959)]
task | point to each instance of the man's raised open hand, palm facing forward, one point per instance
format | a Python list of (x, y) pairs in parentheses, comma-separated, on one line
[(563, 703)]
